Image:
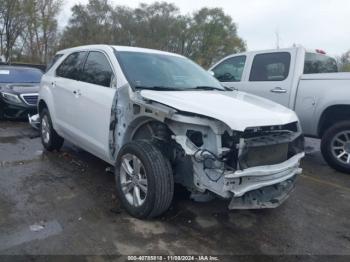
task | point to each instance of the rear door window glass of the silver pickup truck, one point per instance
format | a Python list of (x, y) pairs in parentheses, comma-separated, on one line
[(270, 67)]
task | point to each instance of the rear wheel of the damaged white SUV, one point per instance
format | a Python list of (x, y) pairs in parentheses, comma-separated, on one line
[(49, 138)]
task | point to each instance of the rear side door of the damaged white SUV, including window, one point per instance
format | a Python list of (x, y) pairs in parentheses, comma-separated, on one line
[(63, 88)]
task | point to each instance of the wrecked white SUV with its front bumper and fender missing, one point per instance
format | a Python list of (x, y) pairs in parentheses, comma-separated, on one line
[(161, 119)]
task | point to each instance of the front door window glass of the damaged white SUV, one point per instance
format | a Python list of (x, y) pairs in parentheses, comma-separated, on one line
[(97, 70)]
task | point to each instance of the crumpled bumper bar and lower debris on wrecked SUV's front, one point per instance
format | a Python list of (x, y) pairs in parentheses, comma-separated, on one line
[(263, 187)]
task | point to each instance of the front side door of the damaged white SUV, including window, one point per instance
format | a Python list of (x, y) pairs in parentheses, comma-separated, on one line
[(95, 95)]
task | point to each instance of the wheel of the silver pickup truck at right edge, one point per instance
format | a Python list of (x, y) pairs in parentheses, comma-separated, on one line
[(335, 146)]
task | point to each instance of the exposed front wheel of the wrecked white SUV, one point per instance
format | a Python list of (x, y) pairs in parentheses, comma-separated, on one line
[(144, 180)]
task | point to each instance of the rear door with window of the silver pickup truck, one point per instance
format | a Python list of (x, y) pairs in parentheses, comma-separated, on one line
[(271, 76)]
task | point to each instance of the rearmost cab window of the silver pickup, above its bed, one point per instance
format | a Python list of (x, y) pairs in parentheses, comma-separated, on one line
[(319, 63)]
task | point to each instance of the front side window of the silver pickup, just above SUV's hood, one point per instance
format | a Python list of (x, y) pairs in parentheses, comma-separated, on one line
[(230, 70)]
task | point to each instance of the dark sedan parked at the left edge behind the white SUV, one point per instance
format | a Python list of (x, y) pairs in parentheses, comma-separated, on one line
[(19, 88)]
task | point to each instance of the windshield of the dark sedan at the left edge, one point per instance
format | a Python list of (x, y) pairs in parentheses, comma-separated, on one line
[(20, 75)]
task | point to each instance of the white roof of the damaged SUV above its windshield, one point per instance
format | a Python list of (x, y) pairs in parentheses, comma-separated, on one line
[(117, 48)]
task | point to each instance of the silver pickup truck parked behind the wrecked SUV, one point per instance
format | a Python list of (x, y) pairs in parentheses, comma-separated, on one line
[(307, 82)]
